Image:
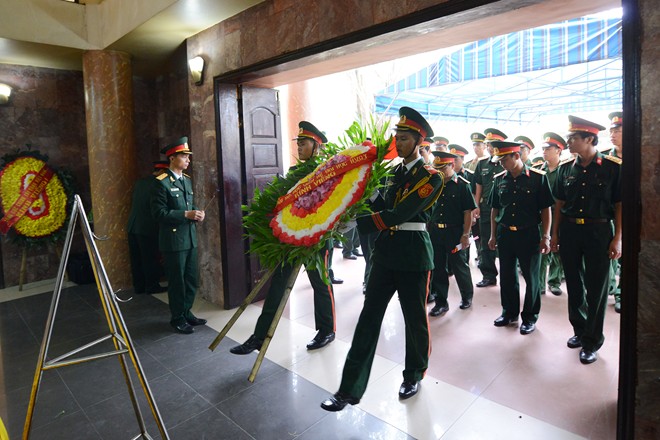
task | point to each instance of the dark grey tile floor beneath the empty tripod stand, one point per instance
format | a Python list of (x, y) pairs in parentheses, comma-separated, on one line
[(200, 394)]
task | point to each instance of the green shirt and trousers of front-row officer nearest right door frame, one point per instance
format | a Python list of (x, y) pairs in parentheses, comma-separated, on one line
[(589, 195)]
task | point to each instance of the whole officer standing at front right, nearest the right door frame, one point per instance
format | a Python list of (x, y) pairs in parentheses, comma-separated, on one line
[(588, 199)]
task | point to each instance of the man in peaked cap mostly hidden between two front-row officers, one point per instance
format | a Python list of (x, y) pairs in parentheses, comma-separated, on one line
[(551, 263)]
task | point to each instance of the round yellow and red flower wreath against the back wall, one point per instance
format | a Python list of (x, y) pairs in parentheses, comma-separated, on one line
[(34, 197)]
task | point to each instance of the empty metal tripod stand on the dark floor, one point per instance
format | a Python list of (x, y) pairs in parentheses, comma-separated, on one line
[(116, 326)]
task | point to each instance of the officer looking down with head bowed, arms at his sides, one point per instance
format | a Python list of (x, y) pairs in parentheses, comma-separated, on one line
[(520, 201)]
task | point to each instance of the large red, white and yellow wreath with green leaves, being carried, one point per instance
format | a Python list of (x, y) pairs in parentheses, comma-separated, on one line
[(293, 217)]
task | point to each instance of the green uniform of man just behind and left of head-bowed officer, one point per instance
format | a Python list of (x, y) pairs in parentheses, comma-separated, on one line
[(484, 175)]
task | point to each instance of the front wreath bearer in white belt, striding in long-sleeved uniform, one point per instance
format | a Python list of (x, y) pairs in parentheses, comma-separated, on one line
[(402, 262)]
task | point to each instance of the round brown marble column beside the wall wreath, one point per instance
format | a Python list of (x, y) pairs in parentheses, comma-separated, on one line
[(111, 151)]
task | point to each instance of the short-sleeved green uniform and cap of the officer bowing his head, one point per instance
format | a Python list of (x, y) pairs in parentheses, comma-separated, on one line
[(519, 201)]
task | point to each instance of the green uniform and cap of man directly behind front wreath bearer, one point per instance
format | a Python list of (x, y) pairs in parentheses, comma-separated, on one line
[(446, 229)]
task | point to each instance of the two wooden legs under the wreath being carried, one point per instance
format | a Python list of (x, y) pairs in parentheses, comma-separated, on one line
[(290, 282)]
